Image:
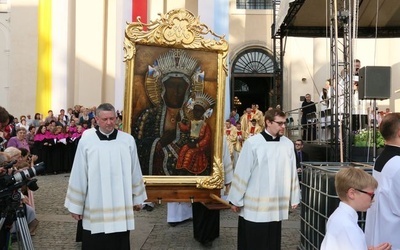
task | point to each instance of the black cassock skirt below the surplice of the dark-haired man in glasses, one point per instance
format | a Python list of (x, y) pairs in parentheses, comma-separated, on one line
[(259, 235)]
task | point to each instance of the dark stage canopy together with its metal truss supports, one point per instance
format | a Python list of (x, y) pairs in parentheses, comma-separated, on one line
[(308, 18)]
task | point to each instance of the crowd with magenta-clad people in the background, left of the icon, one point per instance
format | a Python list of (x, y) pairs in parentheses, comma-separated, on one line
[(52, 139)]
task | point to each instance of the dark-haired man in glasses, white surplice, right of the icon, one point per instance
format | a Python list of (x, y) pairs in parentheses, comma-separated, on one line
[(265, 184)]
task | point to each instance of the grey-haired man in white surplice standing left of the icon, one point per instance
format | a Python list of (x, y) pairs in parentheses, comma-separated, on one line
[(106, 184)]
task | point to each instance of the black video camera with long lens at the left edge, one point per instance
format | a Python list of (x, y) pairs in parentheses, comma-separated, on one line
[(9, 184)]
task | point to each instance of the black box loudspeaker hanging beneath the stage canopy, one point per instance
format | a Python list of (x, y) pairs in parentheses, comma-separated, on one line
[(374, 82)]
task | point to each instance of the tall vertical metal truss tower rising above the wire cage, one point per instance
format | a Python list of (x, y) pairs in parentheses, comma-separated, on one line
[(343, 20)]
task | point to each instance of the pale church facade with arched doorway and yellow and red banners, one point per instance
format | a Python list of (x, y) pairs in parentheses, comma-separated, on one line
[(55, 54)]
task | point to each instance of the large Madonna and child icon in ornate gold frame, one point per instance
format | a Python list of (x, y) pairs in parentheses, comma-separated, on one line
[(175, 81)]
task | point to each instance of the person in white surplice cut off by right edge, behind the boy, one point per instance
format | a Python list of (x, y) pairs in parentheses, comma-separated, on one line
[(383, 218)]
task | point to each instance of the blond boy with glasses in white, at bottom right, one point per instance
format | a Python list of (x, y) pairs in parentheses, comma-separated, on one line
[(355, 189)]
